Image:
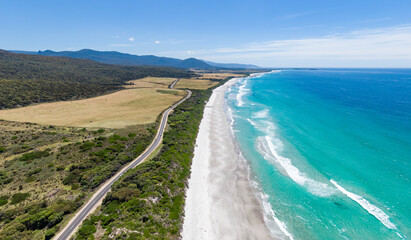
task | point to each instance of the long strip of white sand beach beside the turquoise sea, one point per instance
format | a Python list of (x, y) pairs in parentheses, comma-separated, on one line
[(220, 203)]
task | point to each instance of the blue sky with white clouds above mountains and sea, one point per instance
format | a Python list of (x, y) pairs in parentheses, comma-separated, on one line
[(268, 33)]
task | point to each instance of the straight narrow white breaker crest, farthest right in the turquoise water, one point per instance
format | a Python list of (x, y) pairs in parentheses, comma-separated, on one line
[(370, 208)]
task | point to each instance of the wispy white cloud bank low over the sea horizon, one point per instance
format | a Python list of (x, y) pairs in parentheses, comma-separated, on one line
[(375, 47)]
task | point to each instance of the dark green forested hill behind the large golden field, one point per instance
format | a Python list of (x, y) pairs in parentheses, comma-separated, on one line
[(26, 79)]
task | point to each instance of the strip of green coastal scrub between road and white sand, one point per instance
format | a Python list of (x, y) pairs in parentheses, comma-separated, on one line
[(148, 201)]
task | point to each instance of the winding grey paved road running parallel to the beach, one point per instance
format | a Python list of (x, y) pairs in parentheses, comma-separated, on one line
[(97, 198)]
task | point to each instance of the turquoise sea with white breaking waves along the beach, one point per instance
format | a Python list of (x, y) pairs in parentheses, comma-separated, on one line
[(330, 150)]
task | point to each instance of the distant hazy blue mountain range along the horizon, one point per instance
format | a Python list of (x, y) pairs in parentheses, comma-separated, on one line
[(113, 57)]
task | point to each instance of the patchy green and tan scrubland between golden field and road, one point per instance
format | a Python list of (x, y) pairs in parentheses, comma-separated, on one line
[(48, 172)]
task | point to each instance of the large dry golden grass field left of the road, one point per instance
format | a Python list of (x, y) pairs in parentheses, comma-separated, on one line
[(116, 110)]
